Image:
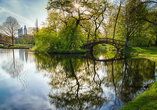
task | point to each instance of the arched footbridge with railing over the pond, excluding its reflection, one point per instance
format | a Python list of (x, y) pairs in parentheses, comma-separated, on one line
[(117, 43)]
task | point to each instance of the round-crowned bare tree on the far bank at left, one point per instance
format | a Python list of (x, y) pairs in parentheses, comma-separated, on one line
[(10, 27)]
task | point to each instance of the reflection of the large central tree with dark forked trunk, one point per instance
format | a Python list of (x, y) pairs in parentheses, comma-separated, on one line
[(75, 89)]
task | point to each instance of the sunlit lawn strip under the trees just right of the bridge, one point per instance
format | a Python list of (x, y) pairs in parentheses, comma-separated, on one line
[(149, 53)]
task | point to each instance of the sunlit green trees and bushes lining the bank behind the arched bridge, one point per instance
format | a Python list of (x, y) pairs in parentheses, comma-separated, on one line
[(71, 22)]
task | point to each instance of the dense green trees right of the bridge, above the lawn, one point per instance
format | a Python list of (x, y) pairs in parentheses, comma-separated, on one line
[(136, 22)]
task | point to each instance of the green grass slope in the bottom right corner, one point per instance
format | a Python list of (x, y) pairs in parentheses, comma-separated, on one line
[(145, 101)]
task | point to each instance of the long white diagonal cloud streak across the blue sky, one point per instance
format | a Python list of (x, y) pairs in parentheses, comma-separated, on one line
[(18, 17)]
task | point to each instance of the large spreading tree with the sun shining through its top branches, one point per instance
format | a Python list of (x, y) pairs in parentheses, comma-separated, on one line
[(73, 14)]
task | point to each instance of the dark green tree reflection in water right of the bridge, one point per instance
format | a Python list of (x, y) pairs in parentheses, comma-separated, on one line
[(130, 76)]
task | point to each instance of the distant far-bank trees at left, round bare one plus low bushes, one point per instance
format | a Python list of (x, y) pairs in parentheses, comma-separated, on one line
[(10, 29)]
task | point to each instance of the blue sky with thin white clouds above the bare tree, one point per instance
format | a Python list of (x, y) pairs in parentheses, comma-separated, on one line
[(25, 11)]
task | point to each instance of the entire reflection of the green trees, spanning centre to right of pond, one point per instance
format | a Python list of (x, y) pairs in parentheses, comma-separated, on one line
[(77, 83)]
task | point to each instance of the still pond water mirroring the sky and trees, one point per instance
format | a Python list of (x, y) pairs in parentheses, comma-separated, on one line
[(103, 81)]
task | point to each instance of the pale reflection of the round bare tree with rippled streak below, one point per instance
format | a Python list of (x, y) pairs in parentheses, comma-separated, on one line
[(16, 69)]
